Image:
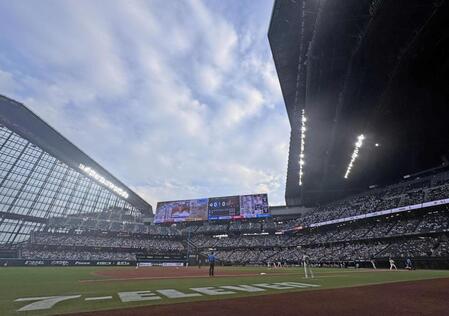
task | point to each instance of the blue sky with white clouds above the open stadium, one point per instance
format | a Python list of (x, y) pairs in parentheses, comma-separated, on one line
[(178, 99)]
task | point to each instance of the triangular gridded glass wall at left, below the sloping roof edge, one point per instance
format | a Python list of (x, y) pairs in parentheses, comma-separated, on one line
[(33, 184)]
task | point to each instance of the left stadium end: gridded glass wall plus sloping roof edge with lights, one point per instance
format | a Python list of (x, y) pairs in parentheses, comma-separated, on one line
[(43, 175)]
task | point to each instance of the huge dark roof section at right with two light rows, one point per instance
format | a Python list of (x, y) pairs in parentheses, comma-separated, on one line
[(358, 67)]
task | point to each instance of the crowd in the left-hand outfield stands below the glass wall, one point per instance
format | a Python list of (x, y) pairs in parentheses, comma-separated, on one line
[(115, 234)]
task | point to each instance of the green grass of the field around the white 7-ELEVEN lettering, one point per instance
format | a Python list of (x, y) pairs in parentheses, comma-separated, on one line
[(40, 282)]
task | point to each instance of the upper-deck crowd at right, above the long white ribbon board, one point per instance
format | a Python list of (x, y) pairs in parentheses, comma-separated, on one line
[(416, 192)]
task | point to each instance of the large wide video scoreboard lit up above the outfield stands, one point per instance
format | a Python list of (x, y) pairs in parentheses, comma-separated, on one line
[(215, 208)]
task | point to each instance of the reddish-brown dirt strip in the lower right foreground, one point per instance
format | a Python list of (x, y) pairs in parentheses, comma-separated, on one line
[(428, 297)]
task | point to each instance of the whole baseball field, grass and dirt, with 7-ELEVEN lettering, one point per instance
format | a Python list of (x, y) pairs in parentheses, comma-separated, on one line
[(233, 291)]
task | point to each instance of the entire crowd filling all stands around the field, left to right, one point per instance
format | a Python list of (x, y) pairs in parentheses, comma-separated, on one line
[(118, 234)]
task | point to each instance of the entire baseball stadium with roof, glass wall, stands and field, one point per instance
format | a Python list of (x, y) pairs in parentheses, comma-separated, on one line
[(365, 225)]
